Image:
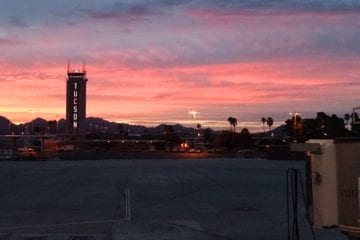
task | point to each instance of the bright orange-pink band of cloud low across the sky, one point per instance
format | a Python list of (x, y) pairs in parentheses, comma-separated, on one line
[(155, 91)]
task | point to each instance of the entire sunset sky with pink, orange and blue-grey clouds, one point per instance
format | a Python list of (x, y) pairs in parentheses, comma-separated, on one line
[(150, 61)]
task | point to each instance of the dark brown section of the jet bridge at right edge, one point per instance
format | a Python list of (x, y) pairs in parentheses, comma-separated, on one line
[(348, 171)]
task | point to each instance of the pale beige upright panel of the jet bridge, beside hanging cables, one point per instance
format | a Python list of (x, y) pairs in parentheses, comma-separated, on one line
[(324, 183)]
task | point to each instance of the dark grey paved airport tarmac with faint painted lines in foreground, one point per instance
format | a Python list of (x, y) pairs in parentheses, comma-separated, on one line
[(167, 199)]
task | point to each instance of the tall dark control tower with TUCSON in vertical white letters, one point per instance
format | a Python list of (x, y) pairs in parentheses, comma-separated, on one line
[(76, 101)]
